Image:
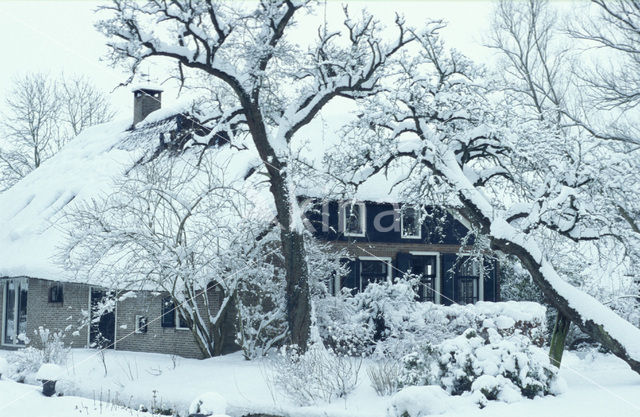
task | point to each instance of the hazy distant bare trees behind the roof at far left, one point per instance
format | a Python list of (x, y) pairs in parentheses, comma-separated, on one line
[(43, 113)]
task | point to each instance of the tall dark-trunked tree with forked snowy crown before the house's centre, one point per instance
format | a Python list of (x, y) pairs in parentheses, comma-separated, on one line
[(275, 84)]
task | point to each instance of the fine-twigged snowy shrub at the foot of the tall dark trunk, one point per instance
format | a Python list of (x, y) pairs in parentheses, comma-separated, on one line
[(314, 376)]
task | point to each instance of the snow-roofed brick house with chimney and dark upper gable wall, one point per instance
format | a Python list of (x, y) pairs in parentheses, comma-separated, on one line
[(383, 238)]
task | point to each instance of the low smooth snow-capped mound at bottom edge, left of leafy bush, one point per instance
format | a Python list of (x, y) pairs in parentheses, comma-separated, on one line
[(419, 402)]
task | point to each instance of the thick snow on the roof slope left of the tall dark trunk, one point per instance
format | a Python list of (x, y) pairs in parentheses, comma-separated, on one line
[(85, 169)]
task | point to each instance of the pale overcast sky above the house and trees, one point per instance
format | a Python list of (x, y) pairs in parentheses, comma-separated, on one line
[(54, 36)]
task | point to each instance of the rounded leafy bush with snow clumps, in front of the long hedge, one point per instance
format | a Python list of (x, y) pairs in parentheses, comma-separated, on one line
[(501, 367)]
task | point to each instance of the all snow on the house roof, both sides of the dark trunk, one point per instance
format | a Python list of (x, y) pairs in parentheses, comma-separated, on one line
[(85, 169)]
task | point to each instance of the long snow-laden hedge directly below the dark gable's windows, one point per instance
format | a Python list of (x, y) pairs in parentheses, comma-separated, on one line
[(385, 320)]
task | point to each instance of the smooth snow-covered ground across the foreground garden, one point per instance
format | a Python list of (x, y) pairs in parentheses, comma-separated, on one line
[(611, 389)]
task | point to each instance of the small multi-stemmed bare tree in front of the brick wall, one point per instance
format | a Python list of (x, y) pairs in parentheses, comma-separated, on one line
[(183, 225)]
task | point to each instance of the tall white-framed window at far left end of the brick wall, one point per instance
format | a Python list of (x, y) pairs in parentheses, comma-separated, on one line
[(14, 321)]
